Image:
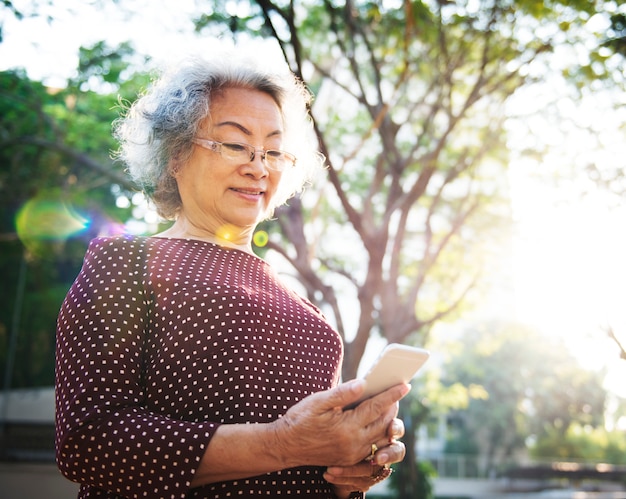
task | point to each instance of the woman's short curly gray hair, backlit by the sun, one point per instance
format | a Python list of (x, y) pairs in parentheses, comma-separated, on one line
[(157, 130)]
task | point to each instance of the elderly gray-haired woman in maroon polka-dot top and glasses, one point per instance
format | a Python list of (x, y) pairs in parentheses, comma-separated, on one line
[(185, 367)]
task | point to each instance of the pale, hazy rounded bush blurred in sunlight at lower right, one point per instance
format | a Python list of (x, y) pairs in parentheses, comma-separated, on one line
[(534, 387)]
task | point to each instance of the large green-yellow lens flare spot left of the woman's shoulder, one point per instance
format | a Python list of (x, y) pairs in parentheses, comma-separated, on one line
[(48, 219)]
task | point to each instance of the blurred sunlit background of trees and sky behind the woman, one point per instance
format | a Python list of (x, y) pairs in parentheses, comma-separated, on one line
[(473, 204)]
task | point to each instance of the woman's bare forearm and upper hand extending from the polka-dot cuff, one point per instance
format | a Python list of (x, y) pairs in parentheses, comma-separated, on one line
[(314, 432)]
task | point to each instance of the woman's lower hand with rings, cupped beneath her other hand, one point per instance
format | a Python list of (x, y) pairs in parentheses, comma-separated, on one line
[(364, 475)]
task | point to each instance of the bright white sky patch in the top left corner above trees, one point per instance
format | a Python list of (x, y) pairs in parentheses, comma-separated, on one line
[(49, 50)]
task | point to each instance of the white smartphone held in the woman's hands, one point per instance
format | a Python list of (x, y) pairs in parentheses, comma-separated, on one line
[(396, 364)]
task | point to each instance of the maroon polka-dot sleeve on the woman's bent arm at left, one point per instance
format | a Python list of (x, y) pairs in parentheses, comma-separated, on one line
[(105, 437)]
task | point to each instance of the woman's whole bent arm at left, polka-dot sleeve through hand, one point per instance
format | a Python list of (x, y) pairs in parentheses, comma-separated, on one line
[(107, 438)]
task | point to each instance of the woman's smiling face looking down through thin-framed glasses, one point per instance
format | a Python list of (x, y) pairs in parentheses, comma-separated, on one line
[(217, 192)]
